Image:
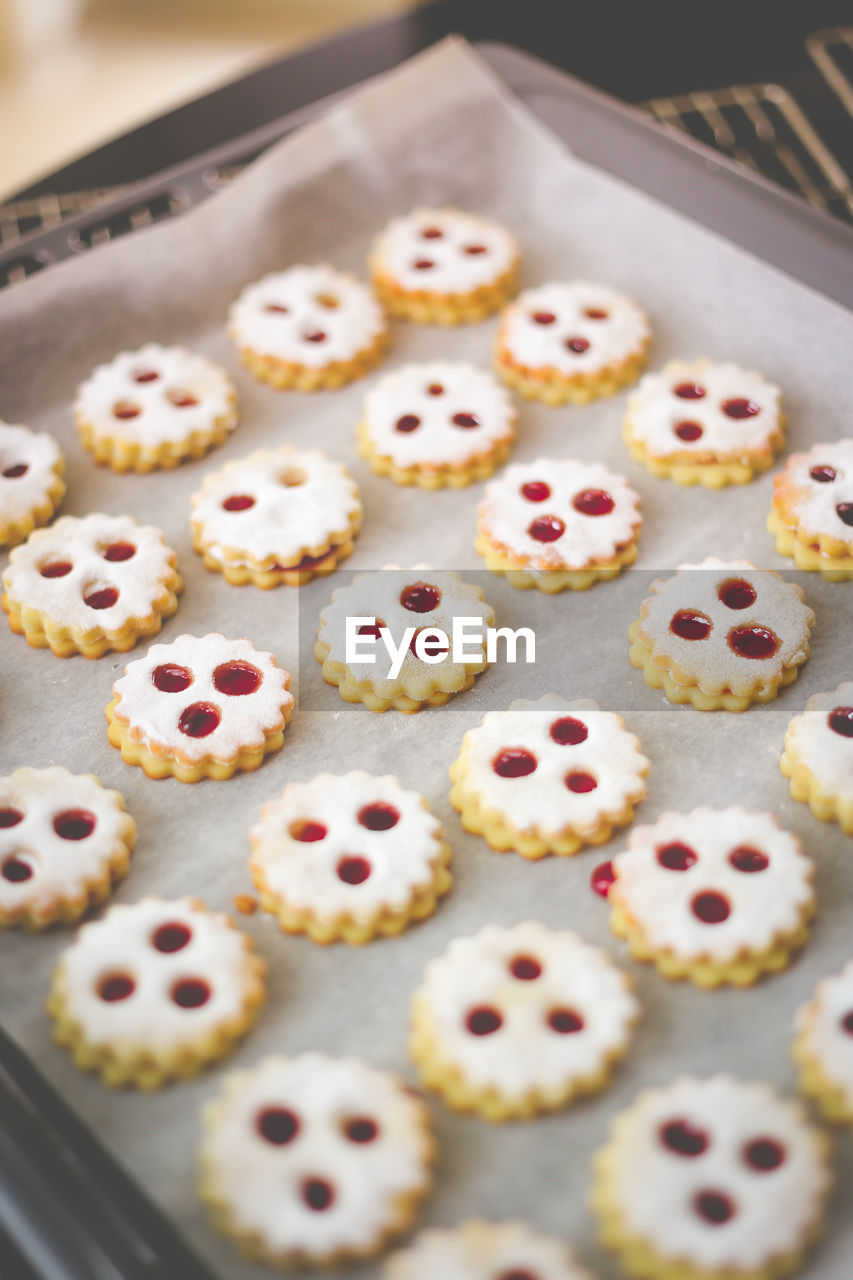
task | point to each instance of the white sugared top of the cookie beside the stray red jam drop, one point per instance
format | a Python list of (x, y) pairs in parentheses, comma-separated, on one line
[(714, 883)]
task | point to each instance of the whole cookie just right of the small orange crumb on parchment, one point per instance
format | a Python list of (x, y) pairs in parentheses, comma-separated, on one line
[(349, 858)]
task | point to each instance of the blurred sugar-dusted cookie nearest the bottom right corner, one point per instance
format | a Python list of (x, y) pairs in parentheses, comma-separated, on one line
[(711, 1180)]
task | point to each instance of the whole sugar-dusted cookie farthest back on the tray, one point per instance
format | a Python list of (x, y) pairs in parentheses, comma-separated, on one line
[(445, 267)]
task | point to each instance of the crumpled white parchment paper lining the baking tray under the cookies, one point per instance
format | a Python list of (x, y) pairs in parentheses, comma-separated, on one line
[(441, 130)]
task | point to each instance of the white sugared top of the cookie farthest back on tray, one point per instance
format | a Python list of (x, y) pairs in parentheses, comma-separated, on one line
[(444, 252)]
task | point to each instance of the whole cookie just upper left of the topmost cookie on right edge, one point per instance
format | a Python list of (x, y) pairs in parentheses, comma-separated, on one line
[(701, 423)]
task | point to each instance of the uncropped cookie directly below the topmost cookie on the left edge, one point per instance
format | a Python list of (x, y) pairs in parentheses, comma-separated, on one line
[(90, 586)]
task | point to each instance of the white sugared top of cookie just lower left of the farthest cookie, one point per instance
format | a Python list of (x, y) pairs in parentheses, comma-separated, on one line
[(307, 316)]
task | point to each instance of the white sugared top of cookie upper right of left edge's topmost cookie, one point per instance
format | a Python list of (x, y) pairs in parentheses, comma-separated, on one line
[(156, 396)]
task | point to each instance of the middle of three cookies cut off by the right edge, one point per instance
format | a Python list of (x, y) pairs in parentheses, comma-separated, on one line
[(819, 757)]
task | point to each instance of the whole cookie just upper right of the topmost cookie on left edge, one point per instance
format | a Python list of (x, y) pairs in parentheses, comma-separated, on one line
[(154, 408)]
